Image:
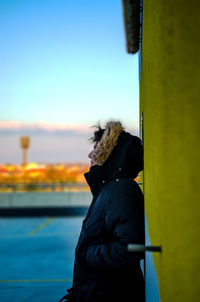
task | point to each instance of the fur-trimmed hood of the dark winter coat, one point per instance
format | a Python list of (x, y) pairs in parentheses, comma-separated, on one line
[(118, 154)]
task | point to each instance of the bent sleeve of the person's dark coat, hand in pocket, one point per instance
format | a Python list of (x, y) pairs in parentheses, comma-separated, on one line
[(125, 220)]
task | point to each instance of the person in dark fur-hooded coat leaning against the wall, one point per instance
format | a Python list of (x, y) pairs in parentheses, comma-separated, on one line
[(104, 269)]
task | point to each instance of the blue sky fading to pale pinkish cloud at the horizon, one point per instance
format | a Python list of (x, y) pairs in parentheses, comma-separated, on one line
[(63, 64)]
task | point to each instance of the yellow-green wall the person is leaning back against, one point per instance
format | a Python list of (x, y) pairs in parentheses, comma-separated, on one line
[(170, 100)]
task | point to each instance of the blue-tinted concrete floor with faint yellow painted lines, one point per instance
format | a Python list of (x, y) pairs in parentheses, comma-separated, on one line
[(37, 255)]
